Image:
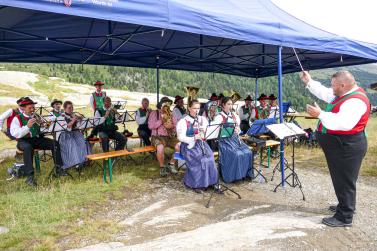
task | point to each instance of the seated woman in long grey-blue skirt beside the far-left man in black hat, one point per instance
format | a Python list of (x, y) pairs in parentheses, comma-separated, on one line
[(73, 146)]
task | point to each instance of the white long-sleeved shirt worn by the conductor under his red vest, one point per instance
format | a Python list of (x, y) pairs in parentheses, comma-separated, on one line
[(350, 111)]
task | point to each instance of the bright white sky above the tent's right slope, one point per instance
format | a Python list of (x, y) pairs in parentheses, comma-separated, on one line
[(352, 19)]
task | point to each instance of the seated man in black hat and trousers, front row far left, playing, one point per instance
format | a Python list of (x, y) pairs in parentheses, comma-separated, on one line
[(26, 130)]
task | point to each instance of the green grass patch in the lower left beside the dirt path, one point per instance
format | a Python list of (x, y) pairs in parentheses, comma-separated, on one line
[(39, 218)]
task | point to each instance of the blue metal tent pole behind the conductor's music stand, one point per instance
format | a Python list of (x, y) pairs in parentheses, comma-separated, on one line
[(280, 93)]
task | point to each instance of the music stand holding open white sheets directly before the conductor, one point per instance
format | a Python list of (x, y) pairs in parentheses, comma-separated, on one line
[(288, 131)]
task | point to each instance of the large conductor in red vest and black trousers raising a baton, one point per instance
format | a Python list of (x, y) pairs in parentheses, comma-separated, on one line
[(341, 134)]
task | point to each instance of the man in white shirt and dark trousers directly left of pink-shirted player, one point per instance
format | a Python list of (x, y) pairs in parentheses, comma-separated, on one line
[(142, 115)]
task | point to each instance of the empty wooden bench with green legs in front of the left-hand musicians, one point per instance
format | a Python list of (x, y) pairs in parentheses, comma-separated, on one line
[(107, 158)]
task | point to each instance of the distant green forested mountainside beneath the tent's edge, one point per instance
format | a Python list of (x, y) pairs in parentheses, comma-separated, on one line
[(174, 82)]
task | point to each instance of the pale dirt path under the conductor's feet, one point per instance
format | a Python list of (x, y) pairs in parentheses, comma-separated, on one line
[(170, 217)]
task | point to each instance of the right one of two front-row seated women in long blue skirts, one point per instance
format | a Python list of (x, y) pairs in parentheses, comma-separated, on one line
[(235, 157)]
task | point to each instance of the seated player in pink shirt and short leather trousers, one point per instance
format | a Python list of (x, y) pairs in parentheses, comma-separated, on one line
[(163, 124)]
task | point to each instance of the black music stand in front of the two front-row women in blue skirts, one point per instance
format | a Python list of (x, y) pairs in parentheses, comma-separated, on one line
[(215, 133)]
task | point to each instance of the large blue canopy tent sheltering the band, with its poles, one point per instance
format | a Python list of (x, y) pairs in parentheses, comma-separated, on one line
[(249, 38)]
